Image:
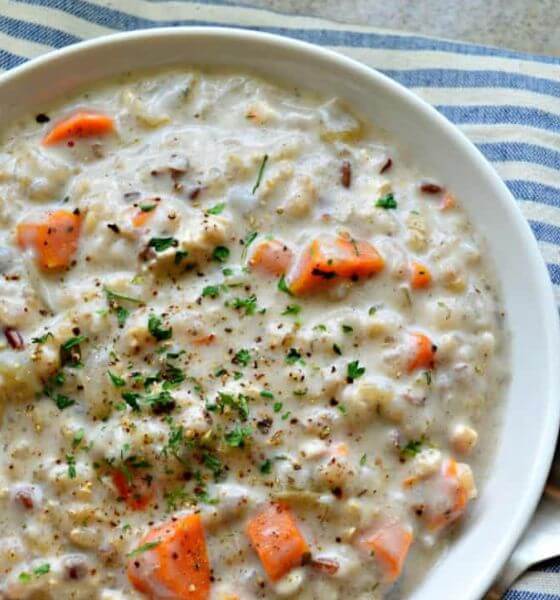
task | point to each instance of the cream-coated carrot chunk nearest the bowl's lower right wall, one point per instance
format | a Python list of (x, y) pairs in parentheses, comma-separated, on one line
[(455, 485)]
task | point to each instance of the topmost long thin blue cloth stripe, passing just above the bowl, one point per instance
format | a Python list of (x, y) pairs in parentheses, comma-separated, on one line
[(116, 19)]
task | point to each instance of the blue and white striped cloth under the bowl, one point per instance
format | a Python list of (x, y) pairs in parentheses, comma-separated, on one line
[(507, 103)]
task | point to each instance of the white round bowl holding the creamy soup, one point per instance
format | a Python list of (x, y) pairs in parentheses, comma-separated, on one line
[(530, 423)]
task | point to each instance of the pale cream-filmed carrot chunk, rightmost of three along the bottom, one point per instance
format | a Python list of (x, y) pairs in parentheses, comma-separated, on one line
[(389, 544)]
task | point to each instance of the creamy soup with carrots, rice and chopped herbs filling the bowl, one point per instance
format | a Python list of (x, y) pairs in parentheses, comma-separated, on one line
[(247, 350)]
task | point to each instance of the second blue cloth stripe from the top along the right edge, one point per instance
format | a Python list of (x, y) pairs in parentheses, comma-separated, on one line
[(443, 78)]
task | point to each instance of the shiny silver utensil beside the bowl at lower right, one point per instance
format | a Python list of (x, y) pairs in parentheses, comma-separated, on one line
[(541, 540)]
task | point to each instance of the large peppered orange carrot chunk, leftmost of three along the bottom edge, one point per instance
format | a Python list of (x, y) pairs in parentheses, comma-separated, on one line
[(172, 561)]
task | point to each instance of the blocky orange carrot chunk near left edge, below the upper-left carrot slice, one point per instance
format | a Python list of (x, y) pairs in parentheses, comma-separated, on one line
[(55, 240)]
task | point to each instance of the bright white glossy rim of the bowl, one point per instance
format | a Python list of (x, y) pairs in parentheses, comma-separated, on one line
[(551, 345)]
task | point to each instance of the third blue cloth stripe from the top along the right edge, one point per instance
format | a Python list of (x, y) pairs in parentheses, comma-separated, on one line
[(506, 115)]
